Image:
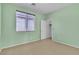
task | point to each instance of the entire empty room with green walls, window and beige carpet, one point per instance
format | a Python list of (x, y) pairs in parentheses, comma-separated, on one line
[(39, 28)]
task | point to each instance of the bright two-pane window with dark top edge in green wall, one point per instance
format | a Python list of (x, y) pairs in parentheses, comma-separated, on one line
[(24, 21)]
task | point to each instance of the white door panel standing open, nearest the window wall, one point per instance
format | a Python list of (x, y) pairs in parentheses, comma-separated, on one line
[(43, 29)]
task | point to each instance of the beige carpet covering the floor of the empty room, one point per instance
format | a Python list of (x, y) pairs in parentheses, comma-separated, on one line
[(42, 47)]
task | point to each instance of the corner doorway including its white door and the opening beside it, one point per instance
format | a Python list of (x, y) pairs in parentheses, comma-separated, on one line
[(46, 30)]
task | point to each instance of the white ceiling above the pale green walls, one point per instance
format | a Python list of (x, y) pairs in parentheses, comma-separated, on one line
[(45, 7)]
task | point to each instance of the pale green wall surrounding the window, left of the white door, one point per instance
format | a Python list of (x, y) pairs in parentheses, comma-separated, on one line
[(9, 35)]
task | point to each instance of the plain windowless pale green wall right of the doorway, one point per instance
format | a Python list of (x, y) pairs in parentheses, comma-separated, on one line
[(66, 25)]
